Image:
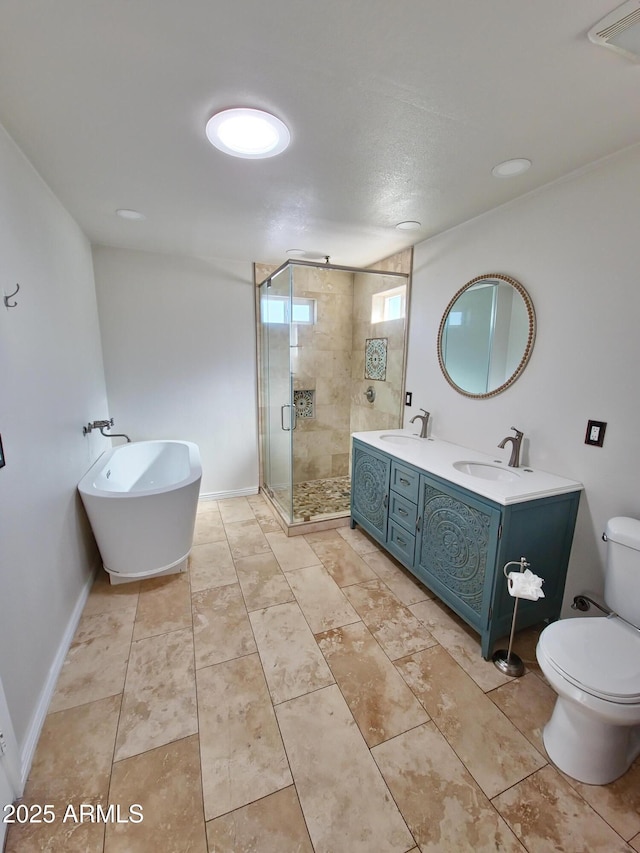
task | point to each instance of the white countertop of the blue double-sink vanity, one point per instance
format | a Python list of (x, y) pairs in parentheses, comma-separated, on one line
[(436, 456)]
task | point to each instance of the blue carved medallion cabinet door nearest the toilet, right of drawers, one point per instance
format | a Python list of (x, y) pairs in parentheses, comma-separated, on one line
[(456, 549)]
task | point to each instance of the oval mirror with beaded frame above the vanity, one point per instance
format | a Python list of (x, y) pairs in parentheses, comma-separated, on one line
[(486, 335)]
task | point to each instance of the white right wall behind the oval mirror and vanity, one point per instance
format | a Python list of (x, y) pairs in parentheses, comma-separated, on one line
[(575, 248)]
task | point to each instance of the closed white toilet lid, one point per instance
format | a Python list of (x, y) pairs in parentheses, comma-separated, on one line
[(600, 655)]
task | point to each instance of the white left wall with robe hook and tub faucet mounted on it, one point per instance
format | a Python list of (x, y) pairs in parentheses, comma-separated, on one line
[(51, 383)]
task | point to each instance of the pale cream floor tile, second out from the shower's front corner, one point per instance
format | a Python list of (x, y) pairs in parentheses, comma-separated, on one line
[(321, 599)]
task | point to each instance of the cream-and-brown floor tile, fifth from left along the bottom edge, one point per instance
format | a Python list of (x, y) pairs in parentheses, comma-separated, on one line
[(444, 807)]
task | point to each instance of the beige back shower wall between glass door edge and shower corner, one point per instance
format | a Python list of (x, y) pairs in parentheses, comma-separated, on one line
[(321, 363)]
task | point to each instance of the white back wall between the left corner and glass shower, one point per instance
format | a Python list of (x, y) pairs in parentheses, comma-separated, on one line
[(179, 351)]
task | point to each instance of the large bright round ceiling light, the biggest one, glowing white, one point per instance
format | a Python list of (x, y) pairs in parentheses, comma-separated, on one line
[(249, 133)]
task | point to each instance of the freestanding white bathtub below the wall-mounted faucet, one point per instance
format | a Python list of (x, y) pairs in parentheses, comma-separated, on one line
[(141, 499)]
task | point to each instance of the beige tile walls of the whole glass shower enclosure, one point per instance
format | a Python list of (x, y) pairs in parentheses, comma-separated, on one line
[(328, 361)]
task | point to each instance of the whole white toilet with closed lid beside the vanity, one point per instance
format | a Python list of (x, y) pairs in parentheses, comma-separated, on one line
[(593, 664)]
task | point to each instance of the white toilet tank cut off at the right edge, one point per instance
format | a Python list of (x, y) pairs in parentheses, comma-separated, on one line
[(622, 576)]
